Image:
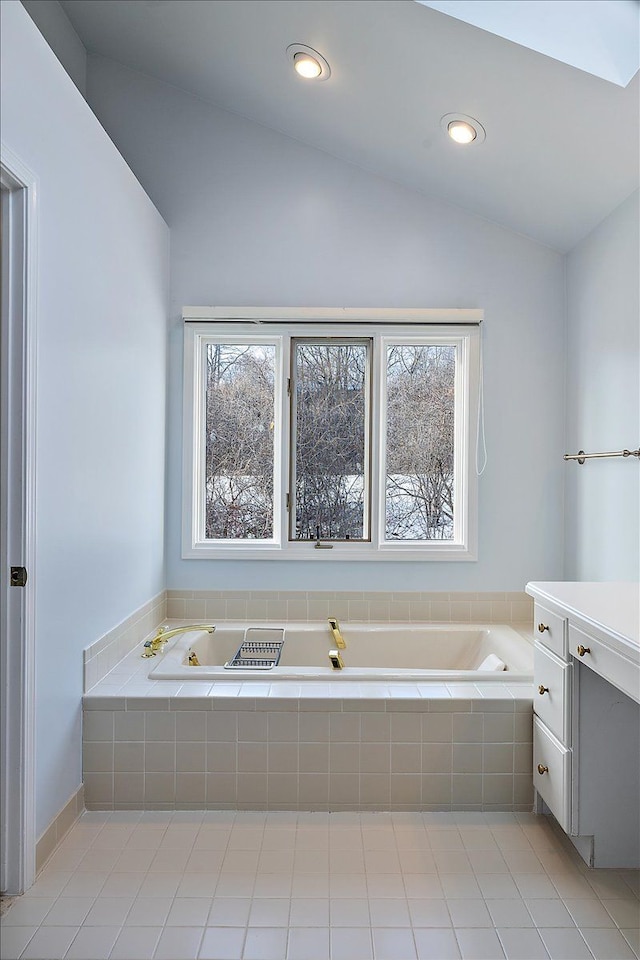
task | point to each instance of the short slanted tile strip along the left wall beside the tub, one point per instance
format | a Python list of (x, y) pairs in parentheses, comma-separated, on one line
[(103, 655)]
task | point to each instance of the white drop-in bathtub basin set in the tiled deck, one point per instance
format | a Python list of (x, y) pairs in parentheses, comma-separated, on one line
[(374, 651)]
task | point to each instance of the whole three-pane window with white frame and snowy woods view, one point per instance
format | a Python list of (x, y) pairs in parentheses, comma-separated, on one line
[(329, 441)]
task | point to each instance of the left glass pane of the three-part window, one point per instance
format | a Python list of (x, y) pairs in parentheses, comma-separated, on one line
[(239, 442)]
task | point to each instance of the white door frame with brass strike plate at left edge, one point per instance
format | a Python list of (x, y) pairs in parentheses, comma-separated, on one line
[(18, 627)]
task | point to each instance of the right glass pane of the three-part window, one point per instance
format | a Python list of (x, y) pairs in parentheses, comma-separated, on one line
[(420, 442)]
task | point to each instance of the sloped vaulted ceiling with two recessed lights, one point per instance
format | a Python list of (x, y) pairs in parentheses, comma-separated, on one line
[(561, 148)]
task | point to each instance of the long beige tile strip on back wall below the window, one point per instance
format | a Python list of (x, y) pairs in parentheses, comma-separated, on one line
[(413, 607)]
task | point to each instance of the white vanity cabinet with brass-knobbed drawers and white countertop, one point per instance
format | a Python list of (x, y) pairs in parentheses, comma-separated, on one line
[(586, 732)]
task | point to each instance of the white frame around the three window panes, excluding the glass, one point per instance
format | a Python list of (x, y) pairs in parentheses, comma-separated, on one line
[(279, 327)]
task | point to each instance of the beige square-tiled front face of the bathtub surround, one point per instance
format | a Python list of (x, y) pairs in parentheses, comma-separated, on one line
[(300, 753)]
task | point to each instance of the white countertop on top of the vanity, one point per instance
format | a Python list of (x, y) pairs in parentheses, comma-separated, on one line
[(611, 608)]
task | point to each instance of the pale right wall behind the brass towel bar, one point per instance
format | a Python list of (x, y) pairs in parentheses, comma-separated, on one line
[(603, 399)]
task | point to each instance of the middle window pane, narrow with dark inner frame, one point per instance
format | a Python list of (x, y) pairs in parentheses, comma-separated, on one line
[(331, 469)]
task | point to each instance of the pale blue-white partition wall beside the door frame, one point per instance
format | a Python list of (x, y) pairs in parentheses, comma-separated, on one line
[(102, 285)]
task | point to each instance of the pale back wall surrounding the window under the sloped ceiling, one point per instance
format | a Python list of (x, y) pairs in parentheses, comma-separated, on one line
[(259, 218)]
